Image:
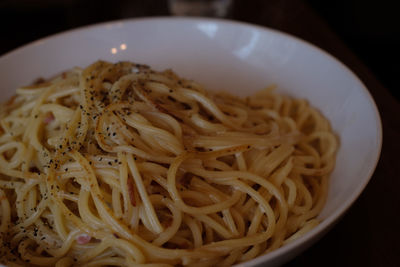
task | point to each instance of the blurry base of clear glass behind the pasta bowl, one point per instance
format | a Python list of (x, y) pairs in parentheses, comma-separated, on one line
[(204, 8)]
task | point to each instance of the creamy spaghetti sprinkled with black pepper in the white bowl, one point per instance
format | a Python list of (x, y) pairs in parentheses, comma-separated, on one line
[(118, 164)]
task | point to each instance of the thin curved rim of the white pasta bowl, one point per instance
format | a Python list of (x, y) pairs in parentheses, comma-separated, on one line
[(332, 218)]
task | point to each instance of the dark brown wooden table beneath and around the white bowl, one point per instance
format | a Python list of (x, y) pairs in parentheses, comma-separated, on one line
[(369, 234)]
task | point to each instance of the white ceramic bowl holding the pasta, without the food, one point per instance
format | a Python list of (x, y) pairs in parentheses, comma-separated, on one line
[(232, 56)]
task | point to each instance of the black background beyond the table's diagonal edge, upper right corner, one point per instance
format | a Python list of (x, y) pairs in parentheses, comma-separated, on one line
[(372, 30)]
